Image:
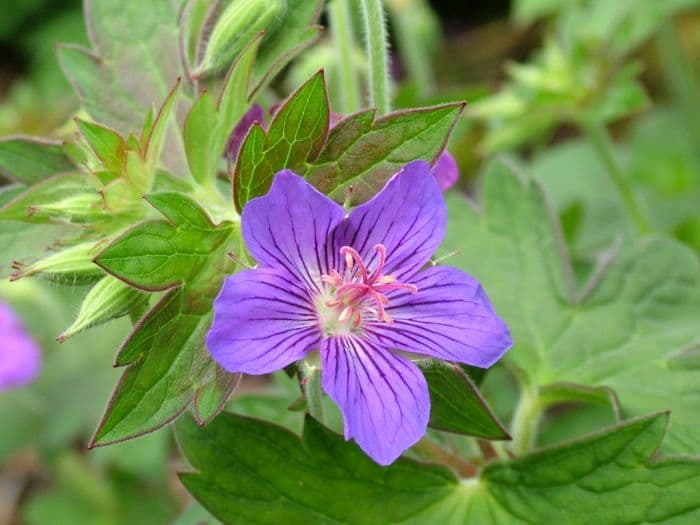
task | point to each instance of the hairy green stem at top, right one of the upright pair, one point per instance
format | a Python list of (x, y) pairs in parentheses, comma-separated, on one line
[(376, 42)]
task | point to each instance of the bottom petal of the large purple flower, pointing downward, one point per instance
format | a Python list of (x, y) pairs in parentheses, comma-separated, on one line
[(383, 397)]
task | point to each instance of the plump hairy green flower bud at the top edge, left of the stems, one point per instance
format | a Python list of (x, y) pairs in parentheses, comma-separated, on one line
[(237, 26)]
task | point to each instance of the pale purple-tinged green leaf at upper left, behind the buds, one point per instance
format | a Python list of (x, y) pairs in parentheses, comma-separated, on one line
[(134, 63)]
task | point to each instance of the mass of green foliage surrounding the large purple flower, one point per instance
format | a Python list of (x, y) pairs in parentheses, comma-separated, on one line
[(585, 241)]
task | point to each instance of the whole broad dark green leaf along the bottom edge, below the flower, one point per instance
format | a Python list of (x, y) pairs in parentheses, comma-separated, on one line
[(250, 471)]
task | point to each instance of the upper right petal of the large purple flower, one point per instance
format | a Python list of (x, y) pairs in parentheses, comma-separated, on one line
[(408, 217)]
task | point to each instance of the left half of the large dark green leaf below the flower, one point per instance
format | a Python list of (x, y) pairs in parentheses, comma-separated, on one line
[(273, 477)]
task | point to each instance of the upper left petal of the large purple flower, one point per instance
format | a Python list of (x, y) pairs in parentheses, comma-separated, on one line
[(288, 229)]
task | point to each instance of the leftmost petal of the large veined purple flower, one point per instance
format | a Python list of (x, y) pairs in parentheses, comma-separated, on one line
[(263, 321)]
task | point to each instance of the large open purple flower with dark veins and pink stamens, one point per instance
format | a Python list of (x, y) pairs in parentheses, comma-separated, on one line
[(353, 286)]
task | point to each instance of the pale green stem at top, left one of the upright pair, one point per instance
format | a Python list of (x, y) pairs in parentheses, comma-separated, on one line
[(341, 25)]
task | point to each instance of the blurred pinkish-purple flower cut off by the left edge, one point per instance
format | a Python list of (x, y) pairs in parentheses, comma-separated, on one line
[(20, 358)]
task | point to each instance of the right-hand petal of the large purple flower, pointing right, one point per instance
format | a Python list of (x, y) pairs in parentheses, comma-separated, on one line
[(449, 318)]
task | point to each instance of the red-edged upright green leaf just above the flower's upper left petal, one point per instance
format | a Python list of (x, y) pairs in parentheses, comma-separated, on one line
[(296, 134)]
